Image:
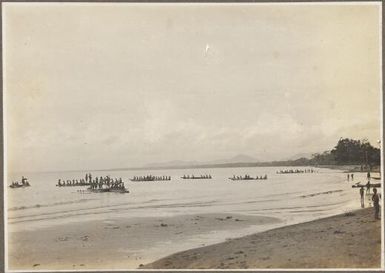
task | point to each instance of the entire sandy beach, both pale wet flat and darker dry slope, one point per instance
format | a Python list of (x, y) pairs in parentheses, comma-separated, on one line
[(349, 240)]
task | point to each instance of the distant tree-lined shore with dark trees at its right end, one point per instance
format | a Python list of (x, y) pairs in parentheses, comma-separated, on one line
[(347, 152)]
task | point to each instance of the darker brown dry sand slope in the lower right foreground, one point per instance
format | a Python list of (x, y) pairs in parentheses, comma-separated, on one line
[(351, 240)]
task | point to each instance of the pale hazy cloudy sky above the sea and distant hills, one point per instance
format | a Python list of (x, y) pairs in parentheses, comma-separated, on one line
[(96, 86)]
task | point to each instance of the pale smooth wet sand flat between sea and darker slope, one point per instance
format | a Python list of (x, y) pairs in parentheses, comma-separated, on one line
[(119, 243)]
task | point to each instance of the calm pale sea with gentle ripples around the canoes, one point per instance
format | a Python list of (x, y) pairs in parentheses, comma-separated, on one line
[(291, 197)]
